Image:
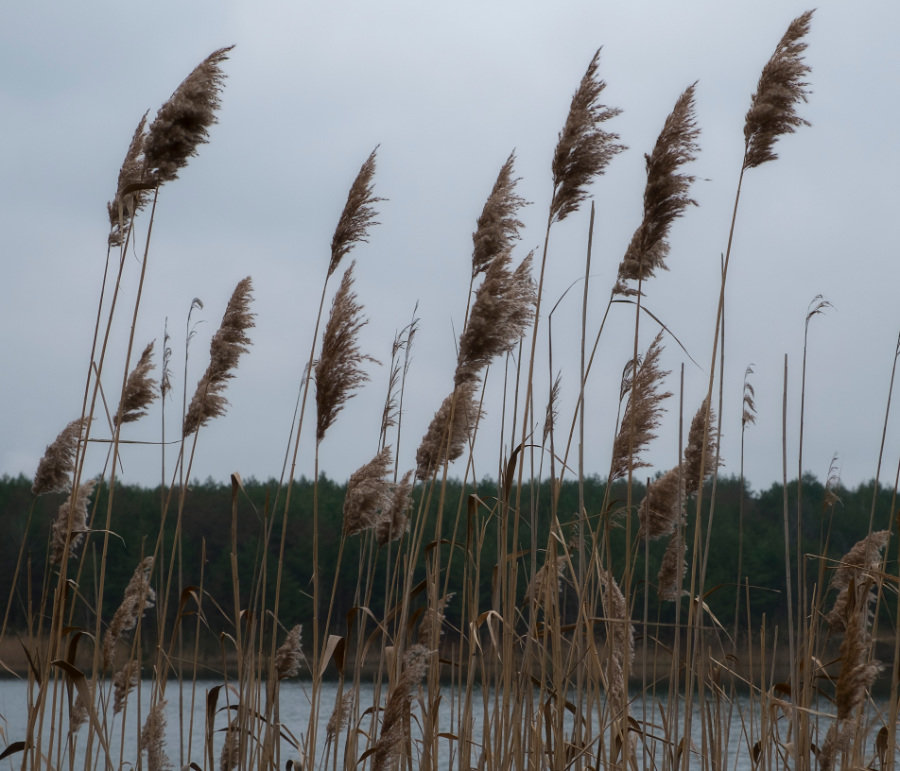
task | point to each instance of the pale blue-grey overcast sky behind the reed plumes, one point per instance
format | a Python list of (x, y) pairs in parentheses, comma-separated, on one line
[(446, 92)]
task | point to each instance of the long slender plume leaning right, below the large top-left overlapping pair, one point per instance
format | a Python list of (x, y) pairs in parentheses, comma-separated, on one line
[(225, 349)]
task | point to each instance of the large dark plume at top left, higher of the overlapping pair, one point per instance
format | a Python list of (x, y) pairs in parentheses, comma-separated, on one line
[(183, 122)]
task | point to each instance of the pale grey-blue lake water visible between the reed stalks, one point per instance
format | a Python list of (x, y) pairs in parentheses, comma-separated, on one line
[(294, 714)]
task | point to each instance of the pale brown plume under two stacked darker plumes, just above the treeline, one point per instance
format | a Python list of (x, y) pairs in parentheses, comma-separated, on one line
[(449, 430)]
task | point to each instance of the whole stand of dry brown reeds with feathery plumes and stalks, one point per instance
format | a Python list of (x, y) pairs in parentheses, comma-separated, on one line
[(528, 678)]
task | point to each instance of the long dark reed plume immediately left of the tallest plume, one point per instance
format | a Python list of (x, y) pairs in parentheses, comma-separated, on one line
[(665, 195)]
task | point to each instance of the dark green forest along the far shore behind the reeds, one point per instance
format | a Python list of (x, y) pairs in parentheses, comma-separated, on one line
[(745, 524)]
